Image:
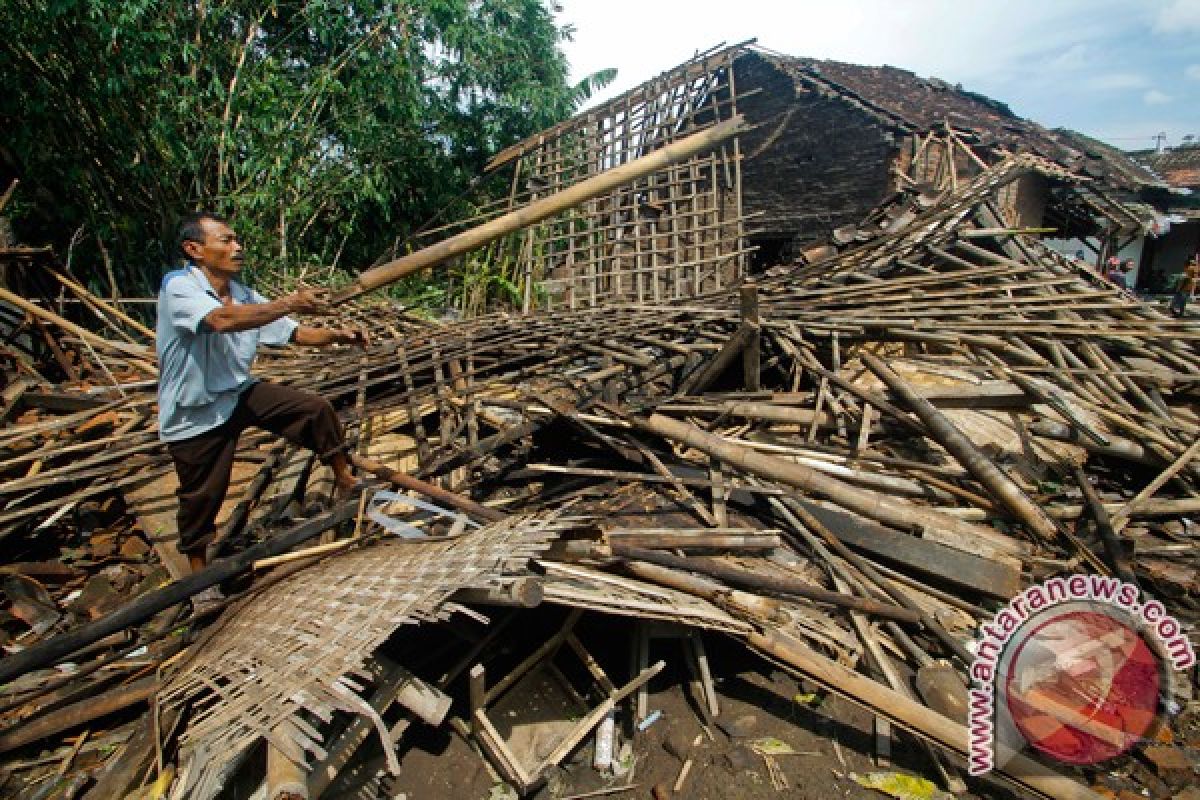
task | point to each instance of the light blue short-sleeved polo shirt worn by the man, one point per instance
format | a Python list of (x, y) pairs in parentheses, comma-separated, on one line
[(201, 372)]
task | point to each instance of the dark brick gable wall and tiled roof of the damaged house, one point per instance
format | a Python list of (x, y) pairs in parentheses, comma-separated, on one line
[(837, 140)]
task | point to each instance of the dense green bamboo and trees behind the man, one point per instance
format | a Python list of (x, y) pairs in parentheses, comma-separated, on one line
[(326, 128)]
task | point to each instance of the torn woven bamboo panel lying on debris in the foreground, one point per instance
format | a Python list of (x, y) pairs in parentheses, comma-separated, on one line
[(303, 643)]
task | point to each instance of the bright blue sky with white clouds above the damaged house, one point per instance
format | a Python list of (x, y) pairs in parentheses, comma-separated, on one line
[(1120, 71)]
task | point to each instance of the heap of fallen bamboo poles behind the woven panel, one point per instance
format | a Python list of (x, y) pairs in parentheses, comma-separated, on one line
[(855, 461)]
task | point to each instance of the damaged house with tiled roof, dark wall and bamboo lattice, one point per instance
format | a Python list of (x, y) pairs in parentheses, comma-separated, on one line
[(830, 142)]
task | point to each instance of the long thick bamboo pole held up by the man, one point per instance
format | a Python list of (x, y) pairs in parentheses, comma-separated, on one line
[(539, 210)]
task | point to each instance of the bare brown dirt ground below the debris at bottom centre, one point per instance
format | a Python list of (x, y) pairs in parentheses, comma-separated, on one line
[(832, 738)]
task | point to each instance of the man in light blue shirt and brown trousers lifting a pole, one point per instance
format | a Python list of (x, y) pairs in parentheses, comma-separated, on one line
[(209, 329)]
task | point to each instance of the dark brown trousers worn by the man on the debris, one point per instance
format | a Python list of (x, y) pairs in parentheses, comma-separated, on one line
[(205, 464)]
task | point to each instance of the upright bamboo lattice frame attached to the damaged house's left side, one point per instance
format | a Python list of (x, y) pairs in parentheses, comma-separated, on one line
[(675, 234)]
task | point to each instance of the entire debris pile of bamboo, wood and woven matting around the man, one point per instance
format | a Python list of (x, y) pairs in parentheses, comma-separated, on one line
[(847, 467)]
